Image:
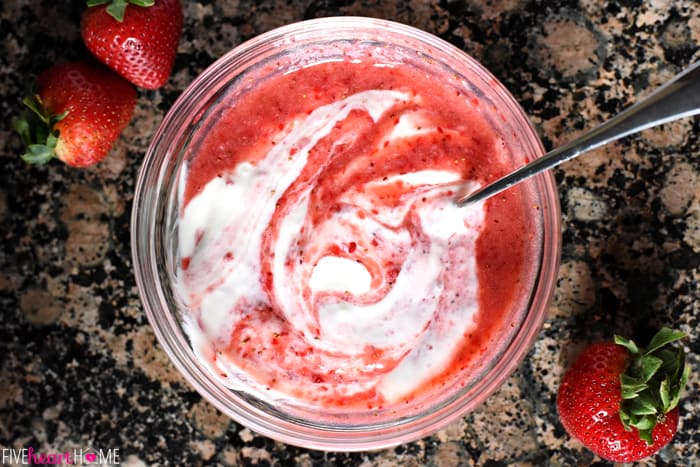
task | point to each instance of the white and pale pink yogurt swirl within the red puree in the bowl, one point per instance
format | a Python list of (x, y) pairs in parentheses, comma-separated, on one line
[(395, 279)]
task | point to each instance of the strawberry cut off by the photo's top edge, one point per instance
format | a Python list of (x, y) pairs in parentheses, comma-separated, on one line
[(138, 41)]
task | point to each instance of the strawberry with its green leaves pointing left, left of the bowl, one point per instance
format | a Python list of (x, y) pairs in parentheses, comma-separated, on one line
[(78, 111)]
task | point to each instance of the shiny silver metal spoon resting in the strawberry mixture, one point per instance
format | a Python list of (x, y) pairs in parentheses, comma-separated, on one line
[(676, 99)]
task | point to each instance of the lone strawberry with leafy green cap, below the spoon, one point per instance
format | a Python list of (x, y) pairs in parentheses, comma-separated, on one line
[(621, 401)]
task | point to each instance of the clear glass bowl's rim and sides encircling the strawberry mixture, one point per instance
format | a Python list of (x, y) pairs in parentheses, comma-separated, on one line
[(158, 205)]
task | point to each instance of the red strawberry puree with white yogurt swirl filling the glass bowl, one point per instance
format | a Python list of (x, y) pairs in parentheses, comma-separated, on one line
[(321, 255)]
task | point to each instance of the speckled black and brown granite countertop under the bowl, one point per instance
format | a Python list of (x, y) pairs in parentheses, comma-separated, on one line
[(80, 367)]
